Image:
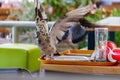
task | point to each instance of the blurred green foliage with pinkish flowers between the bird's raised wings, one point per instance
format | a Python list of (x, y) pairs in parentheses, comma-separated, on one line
[(57, 8)]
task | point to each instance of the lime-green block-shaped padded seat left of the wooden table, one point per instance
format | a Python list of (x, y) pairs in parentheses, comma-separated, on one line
[(24, 56)]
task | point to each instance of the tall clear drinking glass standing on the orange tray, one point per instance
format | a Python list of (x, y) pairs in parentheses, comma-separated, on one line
[(101, 36)]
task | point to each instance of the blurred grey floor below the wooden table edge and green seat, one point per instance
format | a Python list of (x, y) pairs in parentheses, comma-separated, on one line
[(52, 75)]
